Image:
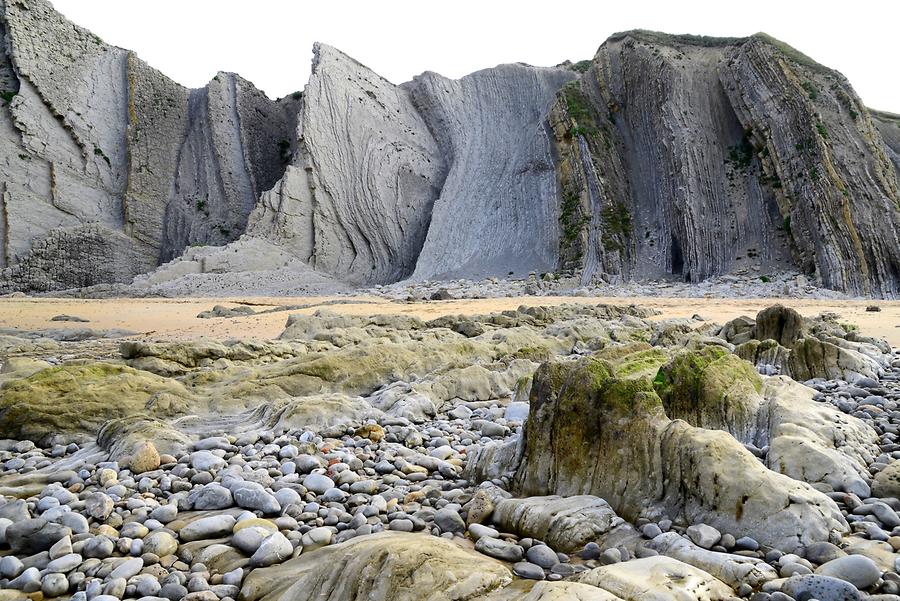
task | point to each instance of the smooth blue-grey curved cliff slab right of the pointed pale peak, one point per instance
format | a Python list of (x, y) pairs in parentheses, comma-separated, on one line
[(496, 212)]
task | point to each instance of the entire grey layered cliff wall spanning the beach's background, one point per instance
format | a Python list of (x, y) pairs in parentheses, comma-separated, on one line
[(663, 156)]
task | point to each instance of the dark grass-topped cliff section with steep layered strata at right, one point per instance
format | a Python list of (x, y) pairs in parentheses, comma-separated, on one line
[(696, 156)]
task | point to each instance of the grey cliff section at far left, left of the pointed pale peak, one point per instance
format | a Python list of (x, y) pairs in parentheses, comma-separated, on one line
[(110, 167)]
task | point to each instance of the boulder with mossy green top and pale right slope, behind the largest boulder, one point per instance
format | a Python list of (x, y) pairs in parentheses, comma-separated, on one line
[(808, 441)]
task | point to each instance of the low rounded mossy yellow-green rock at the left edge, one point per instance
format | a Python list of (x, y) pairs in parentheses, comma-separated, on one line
[(77, 398)]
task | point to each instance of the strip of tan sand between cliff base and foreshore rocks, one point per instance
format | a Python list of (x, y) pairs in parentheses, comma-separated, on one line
[(176, 319)]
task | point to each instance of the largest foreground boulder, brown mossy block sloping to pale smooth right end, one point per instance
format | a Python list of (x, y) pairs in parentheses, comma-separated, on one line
[(591, 433)]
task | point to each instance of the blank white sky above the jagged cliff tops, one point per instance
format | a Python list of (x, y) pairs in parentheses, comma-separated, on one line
[(269, 41)]
